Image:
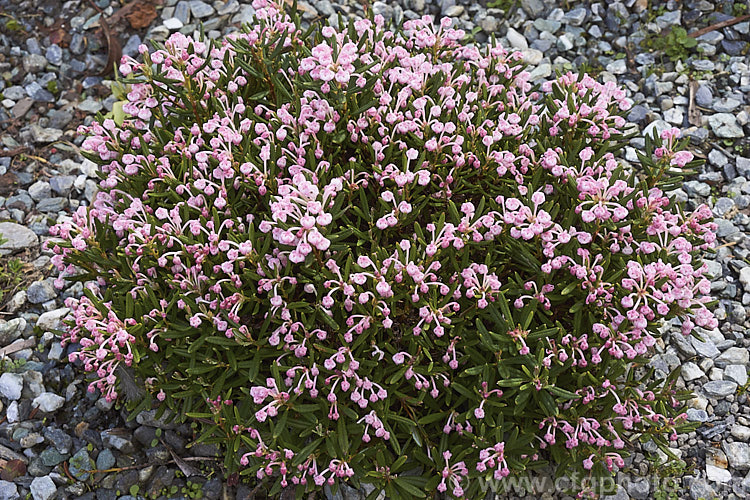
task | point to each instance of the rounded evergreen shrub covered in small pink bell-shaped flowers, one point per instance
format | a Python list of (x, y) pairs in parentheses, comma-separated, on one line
[(353, 252)]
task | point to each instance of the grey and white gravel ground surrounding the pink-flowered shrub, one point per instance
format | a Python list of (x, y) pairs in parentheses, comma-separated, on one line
[(52, 56)]
